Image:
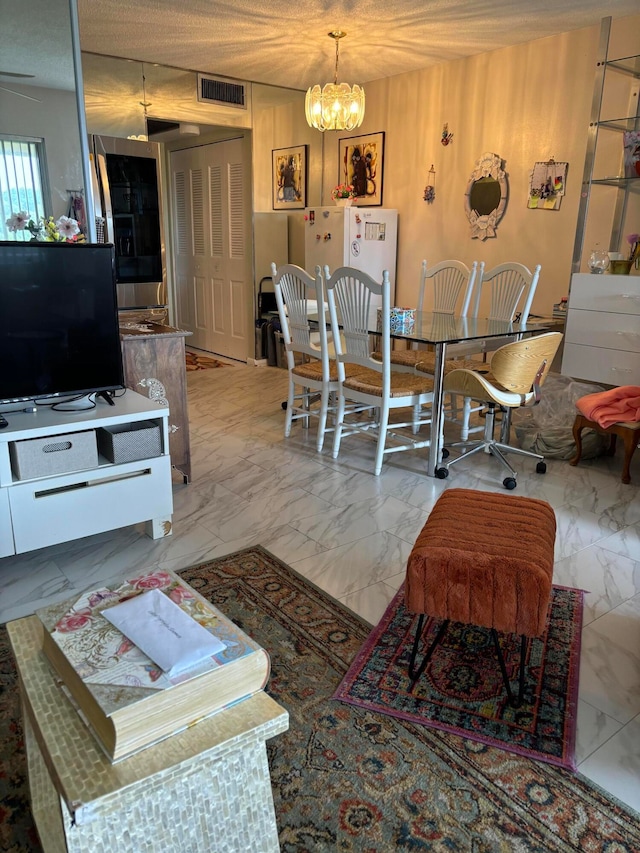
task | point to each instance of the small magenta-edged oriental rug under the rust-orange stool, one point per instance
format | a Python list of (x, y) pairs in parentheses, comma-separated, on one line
[(461, 690)]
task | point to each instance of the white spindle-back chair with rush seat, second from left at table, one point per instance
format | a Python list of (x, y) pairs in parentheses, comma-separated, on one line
[(365, 381)]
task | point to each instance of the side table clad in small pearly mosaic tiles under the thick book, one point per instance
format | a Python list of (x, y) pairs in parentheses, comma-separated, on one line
[(205, 788)]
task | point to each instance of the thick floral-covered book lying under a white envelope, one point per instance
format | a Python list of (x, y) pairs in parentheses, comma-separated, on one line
[(126, 699)]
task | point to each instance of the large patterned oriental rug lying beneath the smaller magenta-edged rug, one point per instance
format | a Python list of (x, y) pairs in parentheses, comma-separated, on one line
[(346, 778)]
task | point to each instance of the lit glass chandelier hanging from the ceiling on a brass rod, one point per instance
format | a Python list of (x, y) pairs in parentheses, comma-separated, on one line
[(337, 106)]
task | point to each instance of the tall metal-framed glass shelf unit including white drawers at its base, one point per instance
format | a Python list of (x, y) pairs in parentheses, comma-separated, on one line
[(602, 342)]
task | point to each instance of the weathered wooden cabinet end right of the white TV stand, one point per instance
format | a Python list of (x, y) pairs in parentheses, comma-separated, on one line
[(154, 365)]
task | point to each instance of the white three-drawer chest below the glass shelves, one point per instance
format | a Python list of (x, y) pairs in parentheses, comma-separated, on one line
[(602, 337)]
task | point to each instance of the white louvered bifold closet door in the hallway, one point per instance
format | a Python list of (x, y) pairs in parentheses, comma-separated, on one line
[(211, 246)]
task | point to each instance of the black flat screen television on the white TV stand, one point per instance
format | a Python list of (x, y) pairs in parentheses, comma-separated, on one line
[(59, 334)]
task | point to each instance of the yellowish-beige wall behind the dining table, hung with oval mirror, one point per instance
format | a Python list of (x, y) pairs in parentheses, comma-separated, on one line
[(526, 103)]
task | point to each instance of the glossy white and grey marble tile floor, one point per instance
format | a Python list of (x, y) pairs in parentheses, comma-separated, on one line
[(351, 533)]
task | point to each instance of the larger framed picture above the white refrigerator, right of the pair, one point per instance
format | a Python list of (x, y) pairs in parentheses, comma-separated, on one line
[(361, 160)]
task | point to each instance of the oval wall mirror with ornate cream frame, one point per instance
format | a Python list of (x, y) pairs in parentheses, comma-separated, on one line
[(486, 196)]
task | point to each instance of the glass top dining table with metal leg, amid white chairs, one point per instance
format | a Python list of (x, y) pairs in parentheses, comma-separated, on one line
[(440, 330)]
